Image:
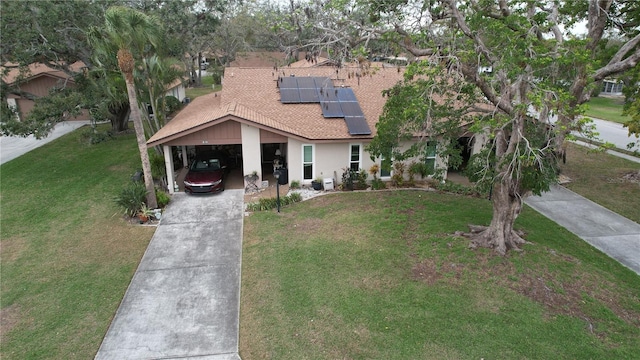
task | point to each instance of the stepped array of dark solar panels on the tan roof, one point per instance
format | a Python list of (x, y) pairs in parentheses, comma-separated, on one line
[(334, 102)]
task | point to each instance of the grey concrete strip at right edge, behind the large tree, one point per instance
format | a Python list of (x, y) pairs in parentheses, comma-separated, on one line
[(607, 231)]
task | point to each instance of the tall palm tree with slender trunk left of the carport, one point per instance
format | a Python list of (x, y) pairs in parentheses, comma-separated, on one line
[(134, 34)]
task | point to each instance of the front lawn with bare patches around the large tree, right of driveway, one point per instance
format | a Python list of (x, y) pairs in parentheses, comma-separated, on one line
[(376, 276)]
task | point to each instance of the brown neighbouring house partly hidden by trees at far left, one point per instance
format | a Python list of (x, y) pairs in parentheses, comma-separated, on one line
[(38, 82)]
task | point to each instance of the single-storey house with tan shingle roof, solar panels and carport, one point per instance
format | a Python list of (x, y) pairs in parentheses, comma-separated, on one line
[(297, 111)]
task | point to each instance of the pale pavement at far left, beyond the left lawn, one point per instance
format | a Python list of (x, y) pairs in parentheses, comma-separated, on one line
[(13, 146)]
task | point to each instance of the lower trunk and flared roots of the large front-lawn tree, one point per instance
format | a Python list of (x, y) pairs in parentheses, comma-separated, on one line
[(499, 235)]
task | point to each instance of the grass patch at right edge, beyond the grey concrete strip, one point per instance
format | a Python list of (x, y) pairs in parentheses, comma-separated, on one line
[(598, 176)]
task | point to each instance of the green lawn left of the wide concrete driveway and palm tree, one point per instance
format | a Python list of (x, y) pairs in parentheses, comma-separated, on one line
[(67, 255)]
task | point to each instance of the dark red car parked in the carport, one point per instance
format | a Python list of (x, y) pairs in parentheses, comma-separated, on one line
[(206, 175)]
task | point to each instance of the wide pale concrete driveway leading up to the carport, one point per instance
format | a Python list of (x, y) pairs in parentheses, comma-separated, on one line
[(184, 299)]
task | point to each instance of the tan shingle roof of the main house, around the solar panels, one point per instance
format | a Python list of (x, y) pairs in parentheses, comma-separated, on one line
[(251, 94)]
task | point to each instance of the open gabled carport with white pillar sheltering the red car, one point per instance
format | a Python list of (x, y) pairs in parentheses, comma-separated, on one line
[(230, 128)]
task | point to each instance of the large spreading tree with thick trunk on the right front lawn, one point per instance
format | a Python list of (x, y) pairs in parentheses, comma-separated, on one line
[(537, 73)]
